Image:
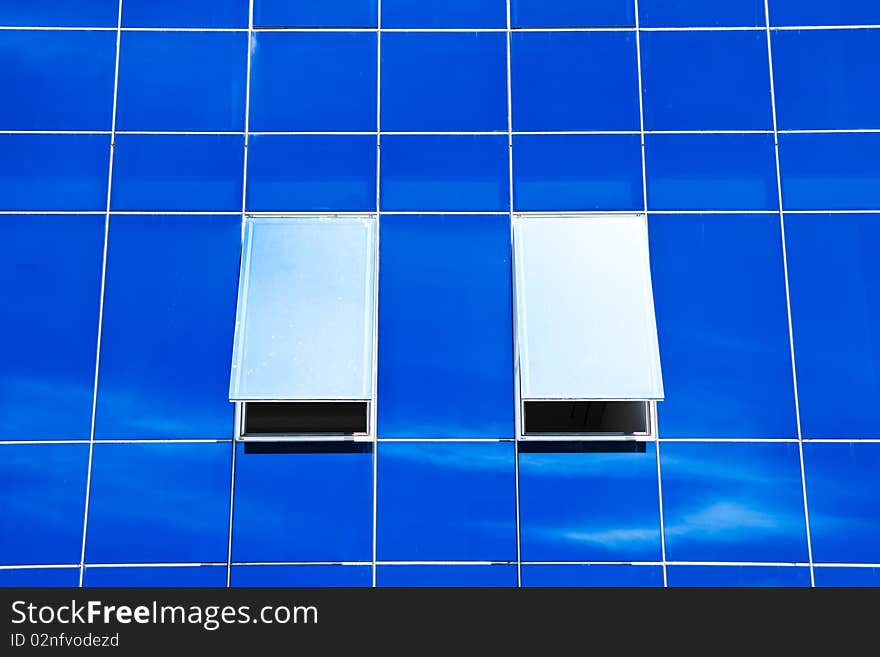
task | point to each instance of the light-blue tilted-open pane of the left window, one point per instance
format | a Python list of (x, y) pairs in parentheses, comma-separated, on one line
[(304, 328)]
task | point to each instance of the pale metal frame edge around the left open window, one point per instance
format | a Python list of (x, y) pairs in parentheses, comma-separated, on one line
[(371, 287)]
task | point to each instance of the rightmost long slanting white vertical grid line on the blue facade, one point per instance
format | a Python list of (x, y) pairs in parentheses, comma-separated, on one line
[(797, 409)]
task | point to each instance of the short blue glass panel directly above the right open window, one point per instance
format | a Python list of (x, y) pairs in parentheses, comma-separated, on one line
[(577, 172)]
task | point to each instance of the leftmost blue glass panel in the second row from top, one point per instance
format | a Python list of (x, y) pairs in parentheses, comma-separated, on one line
[(49, 96)]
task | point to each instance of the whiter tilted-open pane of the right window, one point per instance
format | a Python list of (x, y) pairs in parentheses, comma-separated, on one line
[(585, 308)]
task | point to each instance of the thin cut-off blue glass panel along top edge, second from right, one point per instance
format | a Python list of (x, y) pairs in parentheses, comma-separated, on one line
[(699, 13)]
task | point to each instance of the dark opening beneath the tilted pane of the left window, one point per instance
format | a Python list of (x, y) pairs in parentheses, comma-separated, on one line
[(310, 418)]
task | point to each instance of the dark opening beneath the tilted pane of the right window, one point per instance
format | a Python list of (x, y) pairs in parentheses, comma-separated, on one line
[(586, 417)]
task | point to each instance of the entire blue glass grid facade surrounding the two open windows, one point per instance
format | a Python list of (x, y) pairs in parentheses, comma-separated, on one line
[(132, 157)]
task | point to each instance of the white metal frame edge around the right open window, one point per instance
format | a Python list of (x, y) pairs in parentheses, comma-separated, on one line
[(650, 403)]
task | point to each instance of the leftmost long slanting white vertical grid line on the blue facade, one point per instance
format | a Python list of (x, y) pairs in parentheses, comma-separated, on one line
[(101, 301)]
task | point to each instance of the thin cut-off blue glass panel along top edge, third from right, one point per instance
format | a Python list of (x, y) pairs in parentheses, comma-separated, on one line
[(571, 13)]
